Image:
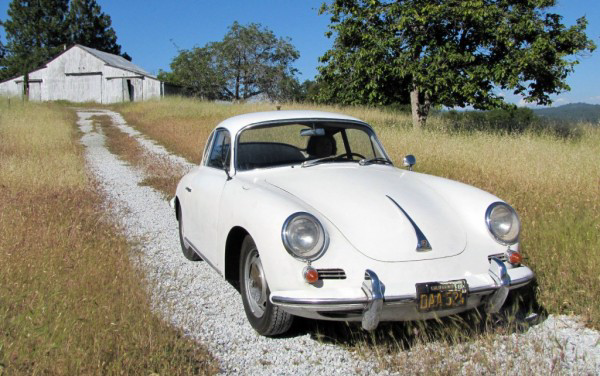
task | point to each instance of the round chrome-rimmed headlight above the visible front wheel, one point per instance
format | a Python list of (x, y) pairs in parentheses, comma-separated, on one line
[(304, 237)]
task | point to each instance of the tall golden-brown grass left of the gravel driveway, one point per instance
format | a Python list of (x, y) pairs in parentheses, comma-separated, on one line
[(70, 300)]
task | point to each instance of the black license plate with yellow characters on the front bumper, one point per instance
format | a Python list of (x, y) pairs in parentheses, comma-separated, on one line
[(437, 296)]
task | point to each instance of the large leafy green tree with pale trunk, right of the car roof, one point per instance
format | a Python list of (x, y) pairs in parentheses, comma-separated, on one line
[(450, 52)]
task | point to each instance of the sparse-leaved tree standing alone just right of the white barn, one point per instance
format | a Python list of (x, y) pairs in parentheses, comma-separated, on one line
[(250, 60)]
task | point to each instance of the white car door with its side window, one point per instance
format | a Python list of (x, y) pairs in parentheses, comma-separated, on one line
[(206, 188)]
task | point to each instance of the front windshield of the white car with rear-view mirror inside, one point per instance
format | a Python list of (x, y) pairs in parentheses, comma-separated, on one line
[(307, 143)]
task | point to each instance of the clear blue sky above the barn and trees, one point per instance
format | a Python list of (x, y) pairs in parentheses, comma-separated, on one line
[(150, 30)]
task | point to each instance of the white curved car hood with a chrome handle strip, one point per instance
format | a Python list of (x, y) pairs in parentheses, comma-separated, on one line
[(378, 209)]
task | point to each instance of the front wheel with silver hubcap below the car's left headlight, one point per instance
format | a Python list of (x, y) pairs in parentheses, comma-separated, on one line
[(266, 318)]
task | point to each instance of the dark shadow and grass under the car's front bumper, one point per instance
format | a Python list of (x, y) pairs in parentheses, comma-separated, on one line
[(520, 312)]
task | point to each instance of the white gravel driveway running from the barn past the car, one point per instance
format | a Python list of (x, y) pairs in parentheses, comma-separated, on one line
[(195, 298)]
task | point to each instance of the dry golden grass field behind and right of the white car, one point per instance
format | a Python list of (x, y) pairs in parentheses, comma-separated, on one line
[(553, 183)]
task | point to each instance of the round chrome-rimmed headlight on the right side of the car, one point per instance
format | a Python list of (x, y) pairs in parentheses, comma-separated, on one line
[(503, 223)]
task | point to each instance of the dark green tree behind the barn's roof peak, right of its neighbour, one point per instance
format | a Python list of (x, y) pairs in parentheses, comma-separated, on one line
[(91, 27)]
